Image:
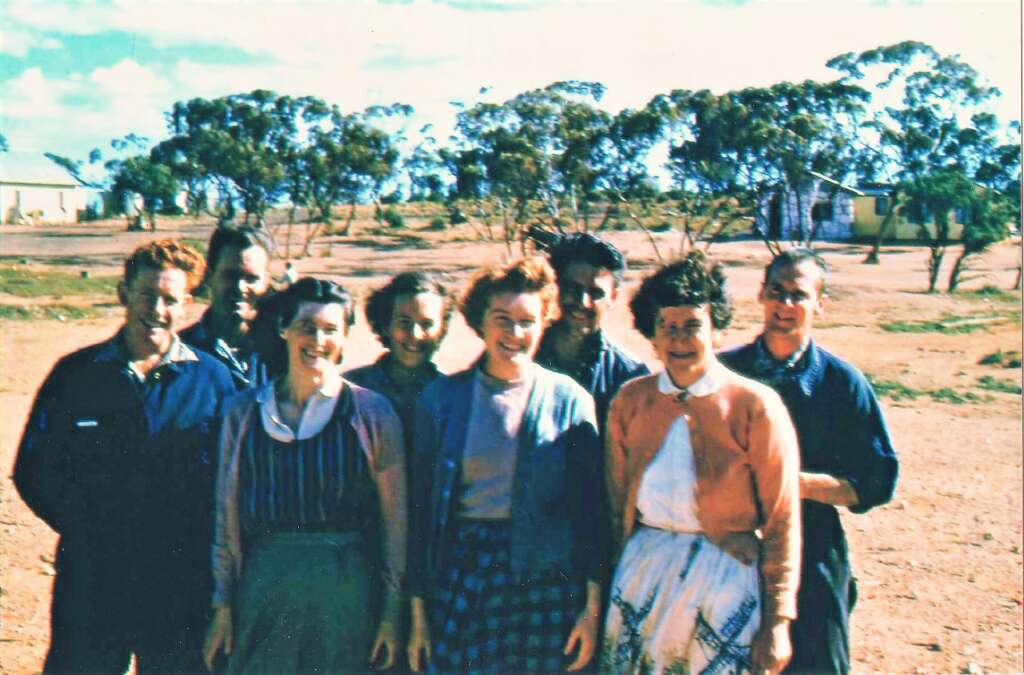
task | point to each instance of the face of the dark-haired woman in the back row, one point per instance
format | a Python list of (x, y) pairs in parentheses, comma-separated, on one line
[(416, 329)]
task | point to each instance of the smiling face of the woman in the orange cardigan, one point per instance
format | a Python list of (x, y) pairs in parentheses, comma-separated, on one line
[(684, 343)]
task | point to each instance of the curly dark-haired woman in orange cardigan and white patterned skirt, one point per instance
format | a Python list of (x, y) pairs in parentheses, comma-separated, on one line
[(699, 459)]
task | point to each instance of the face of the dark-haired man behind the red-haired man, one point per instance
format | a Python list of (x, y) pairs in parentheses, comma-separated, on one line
[(240, 278)]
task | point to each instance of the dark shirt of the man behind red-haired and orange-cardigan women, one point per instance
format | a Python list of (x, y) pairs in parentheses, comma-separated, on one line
[(602, 372)]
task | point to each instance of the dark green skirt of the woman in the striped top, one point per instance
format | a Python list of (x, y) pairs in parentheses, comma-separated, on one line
[(308, 603)]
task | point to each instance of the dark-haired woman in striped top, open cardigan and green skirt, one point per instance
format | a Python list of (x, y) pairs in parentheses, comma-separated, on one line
[(310, 546)]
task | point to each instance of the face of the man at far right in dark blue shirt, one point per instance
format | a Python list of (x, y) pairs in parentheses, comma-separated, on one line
[(791, 299)]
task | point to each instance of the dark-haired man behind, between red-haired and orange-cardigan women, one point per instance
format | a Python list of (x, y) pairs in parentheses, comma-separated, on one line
[(589, 271)]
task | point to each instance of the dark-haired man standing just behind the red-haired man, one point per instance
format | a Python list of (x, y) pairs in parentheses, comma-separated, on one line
[(238, 275)]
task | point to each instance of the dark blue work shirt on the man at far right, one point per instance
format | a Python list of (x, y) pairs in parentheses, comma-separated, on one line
[(843, 434)]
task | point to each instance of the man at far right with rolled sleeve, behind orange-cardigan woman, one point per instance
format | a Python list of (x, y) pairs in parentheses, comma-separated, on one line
[(847, 457)]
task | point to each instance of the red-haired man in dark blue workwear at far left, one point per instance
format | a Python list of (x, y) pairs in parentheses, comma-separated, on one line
[(117, 457)]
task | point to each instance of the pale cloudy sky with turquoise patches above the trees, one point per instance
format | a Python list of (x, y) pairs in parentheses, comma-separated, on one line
[(76, 74)]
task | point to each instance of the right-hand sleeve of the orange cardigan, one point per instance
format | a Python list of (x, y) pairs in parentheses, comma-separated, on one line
[(776, 463)]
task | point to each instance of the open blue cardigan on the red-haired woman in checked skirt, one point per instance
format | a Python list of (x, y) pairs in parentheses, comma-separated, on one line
[(559, 496)]
